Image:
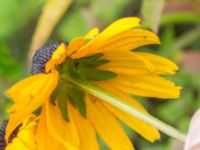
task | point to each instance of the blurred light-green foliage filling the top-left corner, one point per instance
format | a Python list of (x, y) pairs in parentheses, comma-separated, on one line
[(15, 14)]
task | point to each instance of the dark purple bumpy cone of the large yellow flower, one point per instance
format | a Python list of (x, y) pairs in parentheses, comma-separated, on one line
[(42, 56)]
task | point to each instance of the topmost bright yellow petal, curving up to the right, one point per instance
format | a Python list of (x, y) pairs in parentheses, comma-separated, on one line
[(112, 30)]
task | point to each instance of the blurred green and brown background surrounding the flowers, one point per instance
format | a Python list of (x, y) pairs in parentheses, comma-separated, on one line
[(177, 22)]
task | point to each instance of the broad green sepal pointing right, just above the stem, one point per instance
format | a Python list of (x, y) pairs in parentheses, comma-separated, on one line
[(96, 75)]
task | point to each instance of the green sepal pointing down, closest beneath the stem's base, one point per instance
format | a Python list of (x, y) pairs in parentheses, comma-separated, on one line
[(77, 98)]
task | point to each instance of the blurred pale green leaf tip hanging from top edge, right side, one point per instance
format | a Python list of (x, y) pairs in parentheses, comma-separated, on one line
[(151, 11)]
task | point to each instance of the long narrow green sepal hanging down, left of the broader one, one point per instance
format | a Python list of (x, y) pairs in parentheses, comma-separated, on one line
[(62, 102)]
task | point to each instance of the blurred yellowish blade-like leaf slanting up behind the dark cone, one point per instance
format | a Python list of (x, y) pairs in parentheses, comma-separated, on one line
[(52, 12)]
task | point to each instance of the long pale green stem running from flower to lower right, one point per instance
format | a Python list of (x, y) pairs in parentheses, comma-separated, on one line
[(119, 103)]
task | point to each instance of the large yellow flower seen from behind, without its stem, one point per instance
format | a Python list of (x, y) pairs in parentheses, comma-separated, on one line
[(74, 117)]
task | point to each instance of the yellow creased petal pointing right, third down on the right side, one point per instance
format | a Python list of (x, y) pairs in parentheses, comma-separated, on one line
[(139, 60)]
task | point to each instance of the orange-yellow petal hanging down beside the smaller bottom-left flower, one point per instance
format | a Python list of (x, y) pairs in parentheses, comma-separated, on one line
[(45, 141)]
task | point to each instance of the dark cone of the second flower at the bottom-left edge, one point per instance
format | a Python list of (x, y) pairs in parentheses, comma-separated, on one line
[(2, 135)]
